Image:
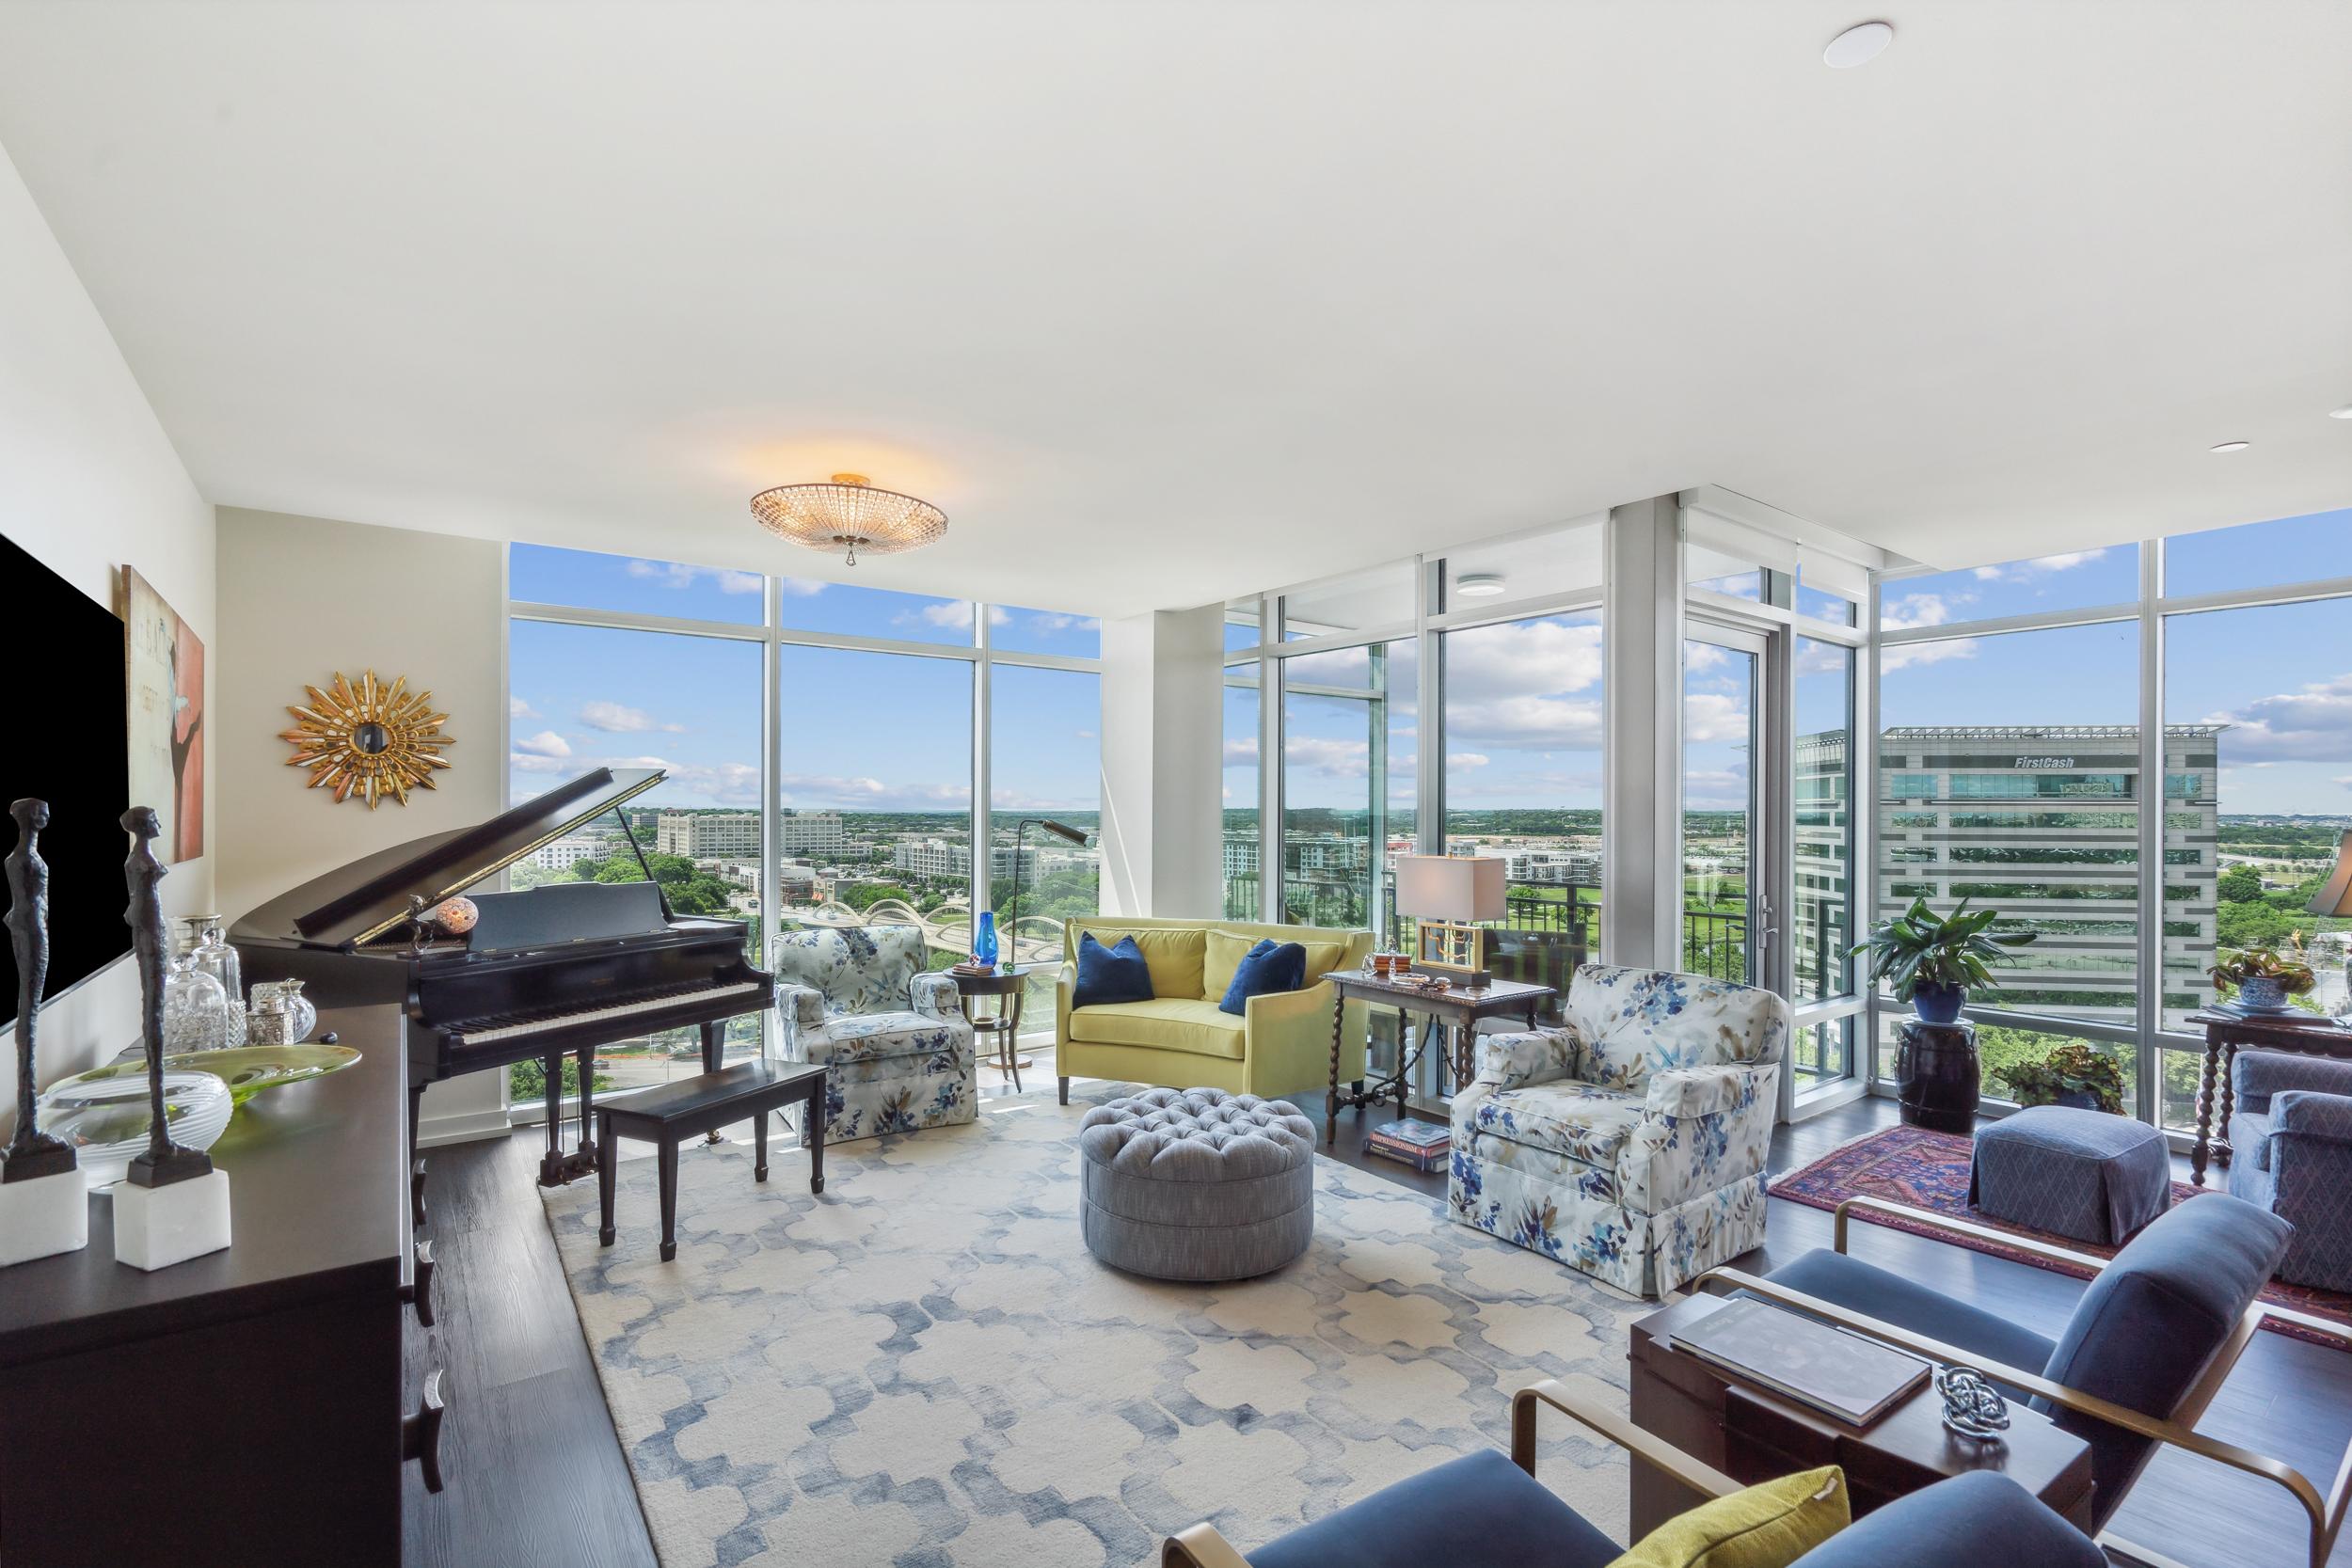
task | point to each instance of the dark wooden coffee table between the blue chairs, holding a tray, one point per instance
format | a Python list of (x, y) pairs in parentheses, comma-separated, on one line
[(1756, 1435)]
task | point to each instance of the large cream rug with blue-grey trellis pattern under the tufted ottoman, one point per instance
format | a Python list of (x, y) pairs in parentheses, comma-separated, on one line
[(926, 1367)]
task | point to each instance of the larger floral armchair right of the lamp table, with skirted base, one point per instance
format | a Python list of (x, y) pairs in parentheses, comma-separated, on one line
[(1631, 1141)]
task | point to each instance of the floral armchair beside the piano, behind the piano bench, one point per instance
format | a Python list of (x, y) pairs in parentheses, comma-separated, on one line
[(895, 1040)]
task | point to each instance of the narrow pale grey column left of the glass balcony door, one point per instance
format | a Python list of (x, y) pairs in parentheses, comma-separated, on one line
[(1643, 735)]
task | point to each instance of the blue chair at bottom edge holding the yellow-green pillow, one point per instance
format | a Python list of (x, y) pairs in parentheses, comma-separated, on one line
[(1490, 1513)]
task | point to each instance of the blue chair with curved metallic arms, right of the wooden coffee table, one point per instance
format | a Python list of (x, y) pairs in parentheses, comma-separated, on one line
[(2137, 1365)]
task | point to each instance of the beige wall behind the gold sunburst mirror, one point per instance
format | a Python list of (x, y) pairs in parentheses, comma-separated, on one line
[(305, 598)]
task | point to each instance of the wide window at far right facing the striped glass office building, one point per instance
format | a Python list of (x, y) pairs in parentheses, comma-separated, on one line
[(2139, 824)]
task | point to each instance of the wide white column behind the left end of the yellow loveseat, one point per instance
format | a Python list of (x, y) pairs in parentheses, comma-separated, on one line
[(1163, 763)]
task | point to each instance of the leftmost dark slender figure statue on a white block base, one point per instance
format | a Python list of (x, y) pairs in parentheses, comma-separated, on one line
[(44, 1200)]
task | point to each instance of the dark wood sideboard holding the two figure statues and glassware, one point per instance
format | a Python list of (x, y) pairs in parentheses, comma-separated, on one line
[(246, 1407)]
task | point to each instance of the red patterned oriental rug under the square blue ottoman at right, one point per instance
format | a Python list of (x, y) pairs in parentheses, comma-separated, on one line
[(1911, 1165)]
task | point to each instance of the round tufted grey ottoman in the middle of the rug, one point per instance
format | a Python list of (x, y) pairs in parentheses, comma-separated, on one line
[(1196, 1184)]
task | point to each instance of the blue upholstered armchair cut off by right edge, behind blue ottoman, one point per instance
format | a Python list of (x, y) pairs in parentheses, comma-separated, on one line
[(2292, 1153)]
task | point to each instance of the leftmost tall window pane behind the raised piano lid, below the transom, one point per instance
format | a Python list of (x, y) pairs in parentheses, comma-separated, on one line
[(587, 697)]
